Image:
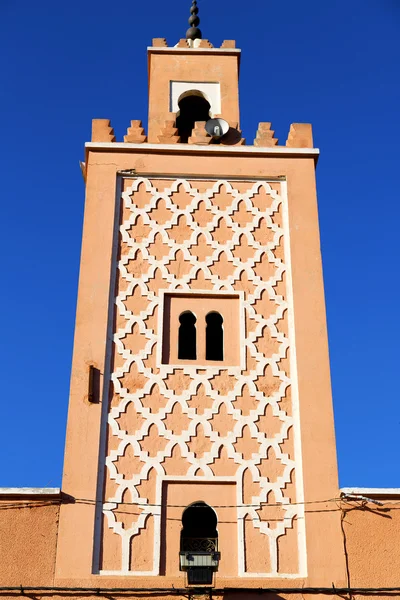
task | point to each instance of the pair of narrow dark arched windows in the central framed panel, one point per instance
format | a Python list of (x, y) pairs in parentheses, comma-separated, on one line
[(187, 337)]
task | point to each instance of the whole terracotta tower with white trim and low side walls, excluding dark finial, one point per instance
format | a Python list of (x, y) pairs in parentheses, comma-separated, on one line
[(242, 420)]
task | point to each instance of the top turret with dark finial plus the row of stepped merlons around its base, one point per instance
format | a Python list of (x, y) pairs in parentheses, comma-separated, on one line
[(190, 83)]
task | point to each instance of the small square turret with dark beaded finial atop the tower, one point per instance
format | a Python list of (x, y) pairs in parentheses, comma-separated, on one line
[(191, 83)]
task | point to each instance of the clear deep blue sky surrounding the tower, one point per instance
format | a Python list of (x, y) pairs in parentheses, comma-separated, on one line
[(335, 65)]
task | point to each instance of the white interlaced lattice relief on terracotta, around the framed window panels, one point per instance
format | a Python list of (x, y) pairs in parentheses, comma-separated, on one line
[(238, 423)]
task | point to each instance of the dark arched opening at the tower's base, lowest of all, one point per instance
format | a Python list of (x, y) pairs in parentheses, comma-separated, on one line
[(199, 529)]
